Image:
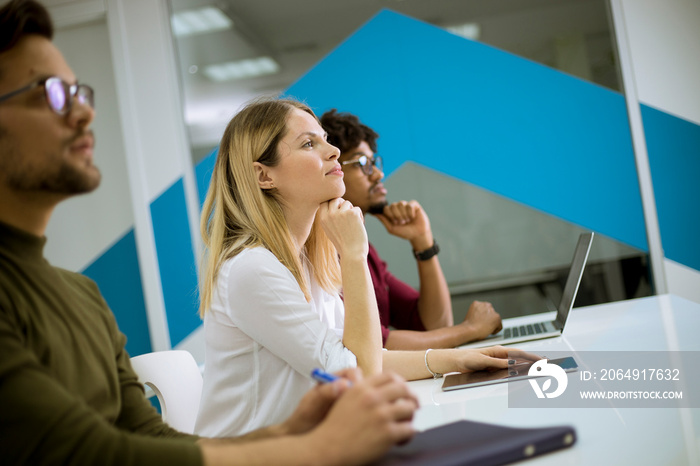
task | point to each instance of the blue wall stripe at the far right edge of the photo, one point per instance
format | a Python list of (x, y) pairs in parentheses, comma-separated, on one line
[(673, 145)]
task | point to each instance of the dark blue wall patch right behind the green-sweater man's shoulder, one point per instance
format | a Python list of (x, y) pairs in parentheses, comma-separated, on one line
[(118, 276)]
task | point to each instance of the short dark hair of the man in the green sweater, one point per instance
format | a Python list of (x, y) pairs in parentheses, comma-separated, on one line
[(19, 18)]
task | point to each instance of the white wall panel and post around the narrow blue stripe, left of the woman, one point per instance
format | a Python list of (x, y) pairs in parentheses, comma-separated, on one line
[(155, 135)]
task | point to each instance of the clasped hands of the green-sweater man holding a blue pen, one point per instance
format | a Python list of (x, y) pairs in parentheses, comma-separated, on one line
[(376, 413)]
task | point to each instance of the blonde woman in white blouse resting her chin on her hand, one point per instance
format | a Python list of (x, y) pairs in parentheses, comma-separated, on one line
[(281, 242)]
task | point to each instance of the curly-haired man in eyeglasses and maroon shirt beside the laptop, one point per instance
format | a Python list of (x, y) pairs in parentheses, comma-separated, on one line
[(418, 319)]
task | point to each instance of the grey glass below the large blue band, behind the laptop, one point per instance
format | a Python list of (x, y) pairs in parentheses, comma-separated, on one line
[(497, 250)]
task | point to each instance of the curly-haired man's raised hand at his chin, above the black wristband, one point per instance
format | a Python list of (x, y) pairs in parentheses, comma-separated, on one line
[(408, 220)]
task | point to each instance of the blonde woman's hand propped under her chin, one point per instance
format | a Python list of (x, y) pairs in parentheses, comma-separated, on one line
[(344, 226)]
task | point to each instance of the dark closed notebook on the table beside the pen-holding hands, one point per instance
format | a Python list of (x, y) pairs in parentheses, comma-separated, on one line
[(467, 442)]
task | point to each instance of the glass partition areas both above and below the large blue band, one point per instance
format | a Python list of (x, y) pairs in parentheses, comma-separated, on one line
[(494, 249)]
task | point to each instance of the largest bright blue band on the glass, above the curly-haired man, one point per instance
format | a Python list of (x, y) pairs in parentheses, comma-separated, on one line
[(533, 134)]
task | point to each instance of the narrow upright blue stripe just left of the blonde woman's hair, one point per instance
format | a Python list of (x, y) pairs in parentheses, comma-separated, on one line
[(176, 261)]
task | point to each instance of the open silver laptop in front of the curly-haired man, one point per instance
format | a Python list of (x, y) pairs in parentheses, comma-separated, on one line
[(547, 329)]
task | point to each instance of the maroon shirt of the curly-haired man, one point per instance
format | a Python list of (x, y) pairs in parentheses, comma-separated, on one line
[(397, 301)]
